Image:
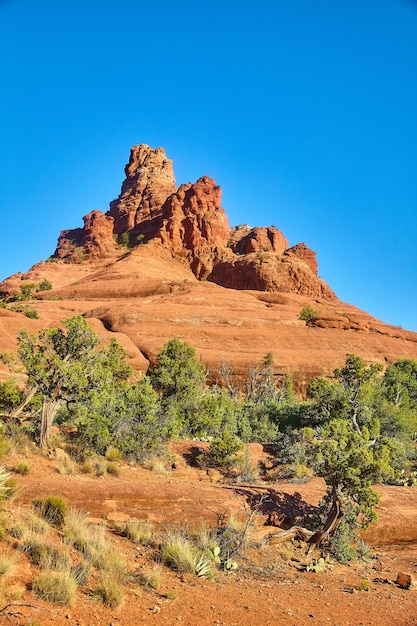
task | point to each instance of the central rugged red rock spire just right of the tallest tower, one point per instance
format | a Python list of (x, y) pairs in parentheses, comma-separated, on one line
[(195, 226)]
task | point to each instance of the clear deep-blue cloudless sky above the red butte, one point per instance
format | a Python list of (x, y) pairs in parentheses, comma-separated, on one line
[(304, 112)]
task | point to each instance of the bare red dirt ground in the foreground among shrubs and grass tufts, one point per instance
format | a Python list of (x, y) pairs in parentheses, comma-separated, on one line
[(270, 587)]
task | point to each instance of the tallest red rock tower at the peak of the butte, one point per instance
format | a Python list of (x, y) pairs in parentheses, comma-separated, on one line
[(149, 181)]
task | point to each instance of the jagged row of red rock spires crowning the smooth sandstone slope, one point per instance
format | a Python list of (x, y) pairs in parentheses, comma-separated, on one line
[(192, 225)]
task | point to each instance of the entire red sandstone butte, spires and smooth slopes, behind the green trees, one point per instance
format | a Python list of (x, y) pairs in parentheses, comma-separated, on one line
[(163, 262)]
